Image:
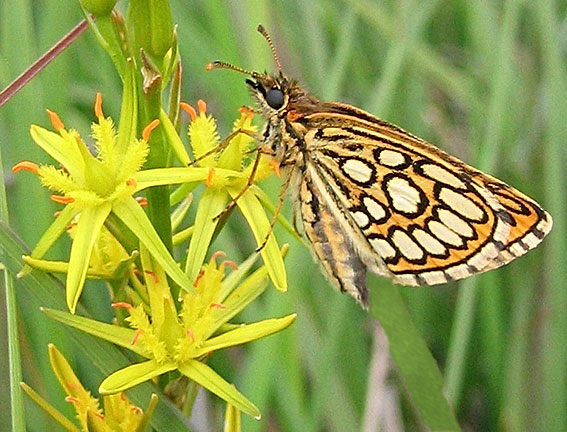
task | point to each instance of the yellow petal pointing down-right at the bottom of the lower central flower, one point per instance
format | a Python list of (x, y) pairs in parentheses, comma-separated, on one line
[(209, 379)]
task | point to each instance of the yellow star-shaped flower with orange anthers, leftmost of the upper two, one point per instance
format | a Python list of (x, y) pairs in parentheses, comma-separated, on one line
[(92, 187)]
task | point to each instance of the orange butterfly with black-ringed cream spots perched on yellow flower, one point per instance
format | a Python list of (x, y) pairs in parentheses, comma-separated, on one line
[(373, 197)]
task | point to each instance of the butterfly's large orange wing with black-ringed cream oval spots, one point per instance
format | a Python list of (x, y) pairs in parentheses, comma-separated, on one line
[(411, 211)]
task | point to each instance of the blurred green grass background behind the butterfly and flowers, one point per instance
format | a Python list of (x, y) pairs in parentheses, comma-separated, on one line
[(486, 81)]
